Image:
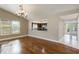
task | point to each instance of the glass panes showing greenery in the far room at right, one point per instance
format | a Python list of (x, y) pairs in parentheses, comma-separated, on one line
[(71, 26)]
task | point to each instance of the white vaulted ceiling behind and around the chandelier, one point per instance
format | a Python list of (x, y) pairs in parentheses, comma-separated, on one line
[(40, 11)]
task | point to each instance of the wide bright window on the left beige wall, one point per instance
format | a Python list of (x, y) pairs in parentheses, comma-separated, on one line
[(8, 27)]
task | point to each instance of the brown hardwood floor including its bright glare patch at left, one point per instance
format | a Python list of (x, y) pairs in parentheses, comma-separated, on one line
[(31, 45)]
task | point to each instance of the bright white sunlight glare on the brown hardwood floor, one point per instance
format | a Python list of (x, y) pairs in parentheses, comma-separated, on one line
[(11, 47)]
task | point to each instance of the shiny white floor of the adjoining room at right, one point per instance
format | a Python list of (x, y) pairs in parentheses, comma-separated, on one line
[(70, 41)]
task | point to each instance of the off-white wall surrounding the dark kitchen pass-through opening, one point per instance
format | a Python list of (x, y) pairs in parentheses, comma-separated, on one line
[(51, 33)]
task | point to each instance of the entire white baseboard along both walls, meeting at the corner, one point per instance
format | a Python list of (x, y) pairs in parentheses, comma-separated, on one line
[(40, 38)]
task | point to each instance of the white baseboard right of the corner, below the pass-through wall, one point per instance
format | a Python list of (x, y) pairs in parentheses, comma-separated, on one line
[(53, 41)]
